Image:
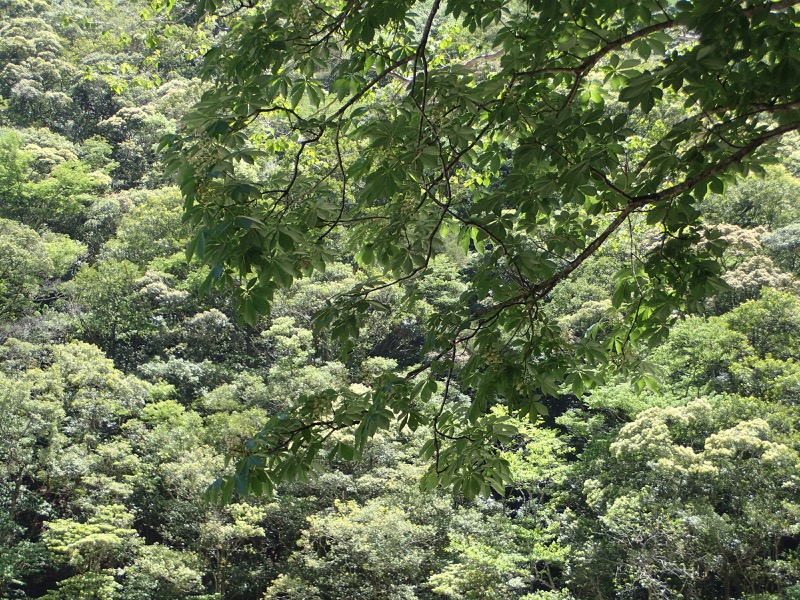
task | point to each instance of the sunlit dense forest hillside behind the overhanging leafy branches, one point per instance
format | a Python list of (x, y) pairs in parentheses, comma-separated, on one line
[(124, 383)]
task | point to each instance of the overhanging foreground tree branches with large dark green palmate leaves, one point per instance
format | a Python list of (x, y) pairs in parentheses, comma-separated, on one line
[(530, 134)]
